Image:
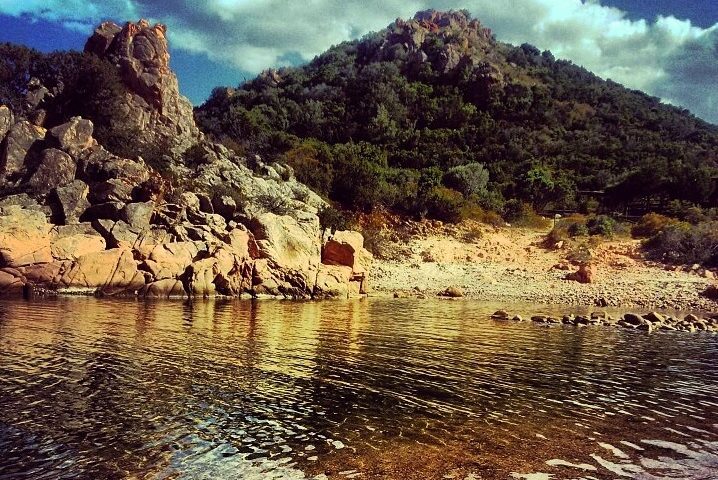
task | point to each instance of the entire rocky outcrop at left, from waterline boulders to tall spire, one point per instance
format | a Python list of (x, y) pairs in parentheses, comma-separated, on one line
[(75, 217)]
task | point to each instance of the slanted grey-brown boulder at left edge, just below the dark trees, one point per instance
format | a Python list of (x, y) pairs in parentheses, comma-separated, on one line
[(22, 147)]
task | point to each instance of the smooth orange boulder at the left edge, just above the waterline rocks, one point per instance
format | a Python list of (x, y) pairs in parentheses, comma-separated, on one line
[(24, 237)]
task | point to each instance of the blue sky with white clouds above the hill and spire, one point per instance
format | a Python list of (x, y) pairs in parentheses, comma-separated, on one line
[(668, 48)]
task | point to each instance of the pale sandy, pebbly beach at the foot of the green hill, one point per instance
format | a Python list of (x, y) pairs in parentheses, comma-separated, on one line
[(509, 265)]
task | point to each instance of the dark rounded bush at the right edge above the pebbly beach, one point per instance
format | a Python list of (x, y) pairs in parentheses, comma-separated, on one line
[(683, 243)]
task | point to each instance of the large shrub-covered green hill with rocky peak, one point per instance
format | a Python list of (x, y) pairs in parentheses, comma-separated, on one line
[(434, 116)]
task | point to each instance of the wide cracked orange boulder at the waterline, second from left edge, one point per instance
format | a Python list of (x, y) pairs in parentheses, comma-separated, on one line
[(110, 272)]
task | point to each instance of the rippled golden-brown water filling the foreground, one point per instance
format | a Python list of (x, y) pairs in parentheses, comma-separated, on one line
[(98, 389)]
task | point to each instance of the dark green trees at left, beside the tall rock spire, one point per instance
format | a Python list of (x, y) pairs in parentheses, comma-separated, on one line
[(78, 84)]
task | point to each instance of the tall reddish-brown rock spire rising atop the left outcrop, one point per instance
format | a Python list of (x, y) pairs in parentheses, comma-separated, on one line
[(154, 104)]
